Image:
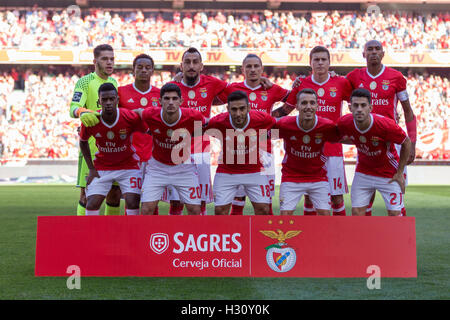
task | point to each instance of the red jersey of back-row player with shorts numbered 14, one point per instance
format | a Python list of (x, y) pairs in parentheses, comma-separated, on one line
[(331, 95)]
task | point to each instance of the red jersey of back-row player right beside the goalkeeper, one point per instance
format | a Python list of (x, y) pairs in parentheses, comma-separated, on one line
[(131, 98)]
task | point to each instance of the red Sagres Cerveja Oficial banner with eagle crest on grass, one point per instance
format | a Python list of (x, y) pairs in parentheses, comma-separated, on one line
[(226, 246)]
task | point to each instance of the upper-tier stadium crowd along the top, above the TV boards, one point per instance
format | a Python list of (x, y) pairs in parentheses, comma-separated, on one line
[(41, 28)]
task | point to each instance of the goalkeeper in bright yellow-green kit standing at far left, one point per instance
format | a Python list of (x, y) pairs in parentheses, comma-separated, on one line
[(84, 101)]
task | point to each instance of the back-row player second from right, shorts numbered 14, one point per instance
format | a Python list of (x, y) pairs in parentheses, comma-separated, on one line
[(332, 91)]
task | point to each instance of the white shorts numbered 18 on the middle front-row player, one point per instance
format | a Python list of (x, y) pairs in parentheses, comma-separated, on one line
[(256, 187)]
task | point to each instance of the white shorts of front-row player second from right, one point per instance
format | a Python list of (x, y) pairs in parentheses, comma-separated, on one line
[(292, 192)]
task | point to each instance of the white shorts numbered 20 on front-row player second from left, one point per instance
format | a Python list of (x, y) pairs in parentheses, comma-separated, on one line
[(182, 177)]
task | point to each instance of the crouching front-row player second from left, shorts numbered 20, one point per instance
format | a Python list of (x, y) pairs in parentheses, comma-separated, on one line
[(172, 129)]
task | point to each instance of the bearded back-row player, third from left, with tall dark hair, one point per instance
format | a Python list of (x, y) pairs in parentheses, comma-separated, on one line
[(198, 93)]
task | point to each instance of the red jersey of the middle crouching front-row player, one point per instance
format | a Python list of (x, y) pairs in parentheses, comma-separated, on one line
[(240, 147)]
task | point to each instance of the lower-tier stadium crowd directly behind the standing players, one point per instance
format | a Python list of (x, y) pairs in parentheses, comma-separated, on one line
[(36, 122)]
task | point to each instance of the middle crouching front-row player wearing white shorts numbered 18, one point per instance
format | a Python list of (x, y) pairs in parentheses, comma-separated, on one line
[(243, 133)]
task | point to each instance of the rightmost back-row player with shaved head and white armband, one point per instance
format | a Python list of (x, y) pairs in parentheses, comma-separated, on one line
[(387, 87)]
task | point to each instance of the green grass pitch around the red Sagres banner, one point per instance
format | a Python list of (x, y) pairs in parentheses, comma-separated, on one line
[(21, 204)]
